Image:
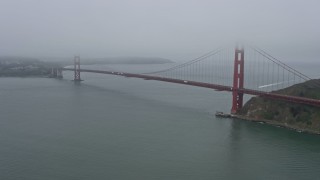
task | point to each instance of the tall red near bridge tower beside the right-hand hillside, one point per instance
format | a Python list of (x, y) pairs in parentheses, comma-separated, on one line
[(238, 80)]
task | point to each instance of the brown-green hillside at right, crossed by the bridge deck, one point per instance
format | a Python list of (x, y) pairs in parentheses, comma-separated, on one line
[(303, 118)]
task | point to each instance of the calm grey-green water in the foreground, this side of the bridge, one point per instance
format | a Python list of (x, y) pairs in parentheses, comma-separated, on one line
[(122, 128)]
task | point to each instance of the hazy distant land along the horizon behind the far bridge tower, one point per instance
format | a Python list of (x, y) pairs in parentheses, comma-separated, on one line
[(12, 66)]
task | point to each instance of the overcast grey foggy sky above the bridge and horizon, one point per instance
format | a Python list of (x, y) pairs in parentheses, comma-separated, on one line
[(174, 29)]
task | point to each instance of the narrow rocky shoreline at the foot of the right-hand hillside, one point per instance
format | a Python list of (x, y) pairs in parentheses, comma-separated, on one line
[(277, 124)]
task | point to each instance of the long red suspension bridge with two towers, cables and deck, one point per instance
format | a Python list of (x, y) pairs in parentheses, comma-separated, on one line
[(252, 72)]
